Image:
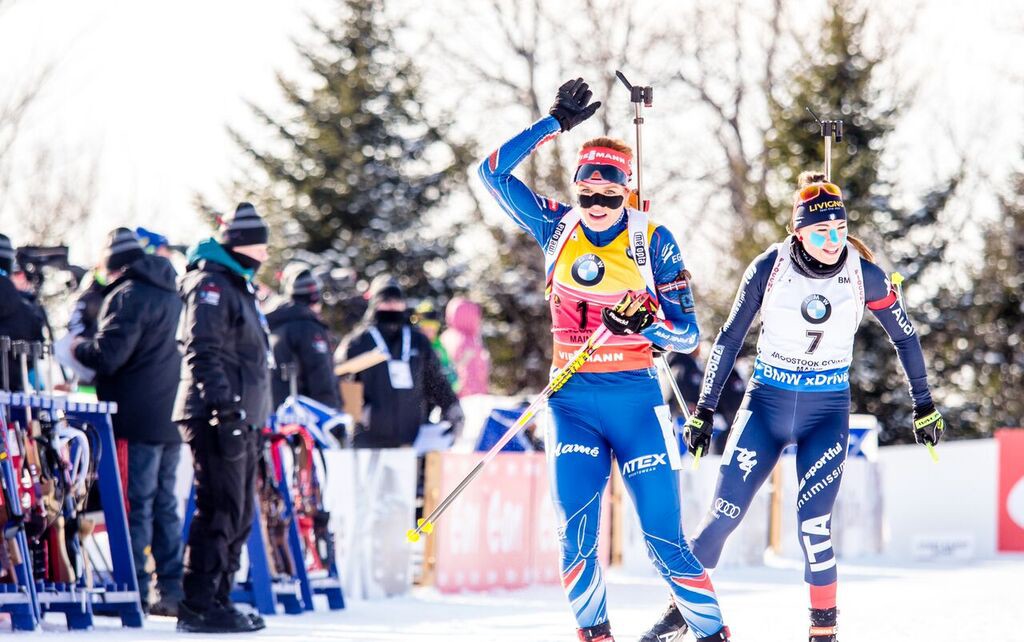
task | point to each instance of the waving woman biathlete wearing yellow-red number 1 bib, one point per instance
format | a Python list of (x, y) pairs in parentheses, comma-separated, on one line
[(601, 256)]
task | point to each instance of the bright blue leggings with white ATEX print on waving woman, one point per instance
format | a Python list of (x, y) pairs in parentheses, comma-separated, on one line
[(595, 417)]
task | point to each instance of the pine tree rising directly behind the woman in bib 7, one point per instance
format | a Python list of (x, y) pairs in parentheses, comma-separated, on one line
[(841, 82)]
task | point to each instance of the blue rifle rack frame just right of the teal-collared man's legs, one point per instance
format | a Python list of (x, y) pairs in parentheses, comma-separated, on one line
[(262, 589)]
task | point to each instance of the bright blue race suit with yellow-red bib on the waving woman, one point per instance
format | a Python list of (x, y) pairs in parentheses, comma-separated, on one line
[(609, 411)]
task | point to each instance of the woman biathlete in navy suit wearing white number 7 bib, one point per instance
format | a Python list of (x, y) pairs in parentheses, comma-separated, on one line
[(812, 291)]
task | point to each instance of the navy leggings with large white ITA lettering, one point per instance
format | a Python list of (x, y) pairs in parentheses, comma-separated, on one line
[(770, 419)]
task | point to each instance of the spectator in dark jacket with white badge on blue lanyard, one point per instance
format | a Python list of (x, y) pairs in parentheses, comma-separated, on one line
[(401, 394)]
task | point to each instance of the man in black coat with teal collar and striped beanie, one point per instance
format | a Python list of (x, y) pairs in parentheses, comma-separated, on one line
[(224, 401)]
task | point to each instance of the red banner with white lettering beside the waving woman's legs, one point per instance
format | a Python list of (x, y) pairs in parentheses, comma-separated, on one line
[(501, 533)]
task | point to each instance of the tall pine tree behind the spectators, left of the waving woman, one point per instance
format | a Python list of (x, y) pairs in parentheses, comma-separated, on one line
[(359, 173)]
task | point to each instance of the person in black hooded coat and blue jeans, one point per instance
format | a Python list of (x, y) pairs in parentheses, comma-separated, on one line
[(138, 366)]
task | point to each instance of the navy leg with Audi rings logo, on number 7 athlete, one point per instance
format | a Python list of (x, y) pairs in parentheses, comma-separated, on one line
[(759, 434)]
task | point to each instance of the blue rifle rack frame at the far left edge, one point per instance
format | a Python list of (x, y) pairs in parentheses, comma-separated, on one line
[(30, 600)]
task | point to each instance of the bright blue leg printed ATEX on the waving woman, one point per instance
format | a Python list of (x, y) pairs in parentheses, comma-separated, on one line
[(646, 453)]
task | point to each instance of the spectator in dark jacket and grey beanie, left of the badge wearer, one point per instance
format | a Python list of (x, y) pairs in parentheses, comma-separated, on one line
[(301, 338)]
